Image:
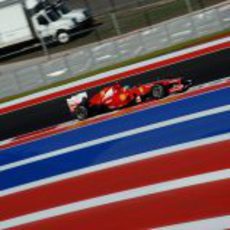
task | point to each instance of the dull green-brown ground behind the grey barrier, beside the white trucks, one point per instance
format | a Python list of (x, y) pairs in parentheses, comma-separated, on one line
[(116, 17)]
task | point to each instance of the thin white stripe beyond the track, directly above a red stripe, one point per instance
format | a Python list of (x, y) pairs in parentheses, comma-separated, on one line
[(116, 71)]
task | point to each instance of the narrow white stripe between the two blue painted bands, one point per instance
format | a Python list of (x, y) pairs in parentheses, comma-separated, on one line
[(116, 136)]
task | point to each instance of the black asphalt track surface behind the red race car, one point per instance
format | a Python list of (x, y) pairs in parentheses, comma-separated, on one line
[(203, 69)]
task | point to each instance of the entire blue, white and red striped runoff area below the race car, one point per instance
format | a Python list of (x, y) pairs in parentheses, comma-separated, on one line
[(163, 167)]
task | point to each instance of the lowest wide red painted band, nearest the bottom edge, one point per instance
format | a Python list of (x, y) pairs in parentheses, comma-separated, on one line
[(181, 205)]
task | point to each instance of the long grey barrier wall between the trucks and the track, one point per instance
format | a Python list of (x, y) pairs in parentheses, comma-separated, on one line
[(118, 49)]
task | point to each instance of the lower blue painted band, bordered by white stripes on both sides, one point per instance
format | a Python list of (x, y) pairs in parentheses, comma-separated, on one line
[(152, 140)]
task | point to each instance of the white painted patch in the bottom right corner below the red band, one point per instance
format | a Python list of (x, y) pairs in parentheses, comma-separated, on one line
[(216, 223)]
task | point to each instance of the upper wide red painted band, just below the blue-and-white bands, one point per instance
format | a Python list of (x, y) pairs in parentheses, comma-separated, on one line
[(159, 169)]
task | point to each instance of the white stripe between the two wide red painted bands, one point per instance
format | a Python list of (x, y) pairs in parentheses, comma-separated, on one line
[(118, 197)]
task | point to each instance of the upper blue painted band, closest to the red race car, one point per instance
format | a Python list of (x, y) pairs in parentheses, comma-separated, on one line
[(131, 121)]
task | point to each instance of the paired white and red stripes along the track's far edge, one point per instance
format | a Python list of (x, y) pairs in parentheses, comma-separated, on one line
[(118, 74)]
